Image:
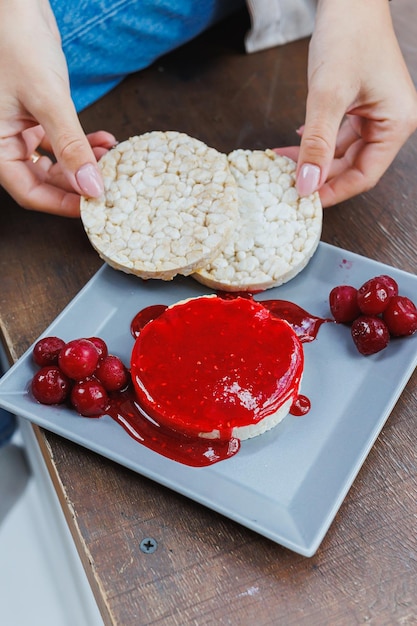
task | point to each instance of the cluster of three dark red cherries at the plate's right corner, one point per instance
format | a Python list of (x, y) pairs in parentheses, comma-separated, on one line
[(375, 311)]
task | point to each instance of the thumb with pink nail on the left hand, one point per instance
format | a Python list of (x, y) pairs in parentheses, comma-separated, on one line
[(73, 151)]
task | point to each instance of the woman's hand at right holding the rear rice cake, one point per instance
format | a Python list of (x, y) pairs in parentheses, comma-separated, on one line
[(361, 104)]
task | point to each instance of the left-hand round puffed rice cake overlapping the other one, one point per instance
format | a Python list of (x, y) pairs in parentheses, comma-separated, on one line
[(169, 206)]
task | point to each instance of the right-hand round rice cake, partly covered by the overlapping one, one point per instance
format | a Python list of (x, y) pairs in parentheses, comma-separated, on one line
[(277, 233)]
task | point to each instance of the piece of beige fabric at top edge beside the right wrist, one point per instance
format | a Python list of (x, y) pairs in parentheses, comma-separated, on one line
[(276, 22)]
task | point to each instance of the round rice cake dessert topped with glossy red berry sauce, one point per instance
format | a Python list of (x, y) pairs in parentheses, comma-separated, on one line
[(217, 368)]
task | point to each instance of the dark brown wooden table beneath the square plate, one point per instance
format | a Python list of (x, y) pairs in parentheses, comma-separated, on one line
[(207, 569)]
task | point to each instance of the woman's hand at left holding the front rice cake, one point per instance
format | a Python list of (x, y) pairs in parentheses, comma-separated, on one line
[(36, 112)]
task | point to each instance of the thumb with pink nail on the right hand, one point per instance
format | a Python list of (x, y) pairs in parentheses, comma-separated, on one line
[(318, 142)]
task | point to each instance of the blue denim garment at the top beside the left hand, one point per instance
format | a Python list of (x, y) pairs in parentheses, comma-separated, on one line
[(105, 40)]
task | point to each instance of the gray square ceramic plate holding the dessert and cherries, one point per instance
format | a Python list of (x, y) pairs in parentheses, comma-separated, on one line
[(288, 483)]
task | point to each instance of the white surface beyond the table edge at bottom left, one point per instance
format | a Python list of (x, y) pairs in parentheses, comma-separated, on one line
[(42, 582)]
